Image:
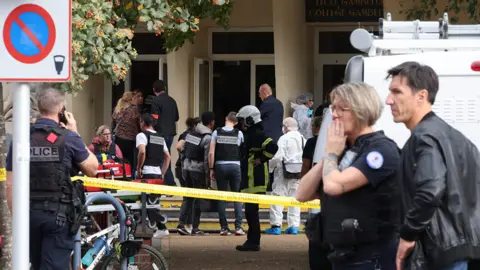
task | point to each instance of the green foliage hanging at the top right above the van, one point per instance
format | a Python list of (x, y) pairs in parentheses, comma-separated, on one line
[(429, 9)]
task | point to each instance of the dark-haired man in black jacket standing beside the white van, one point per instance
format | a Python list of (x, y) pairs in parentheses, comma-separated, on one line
[(438, 180)]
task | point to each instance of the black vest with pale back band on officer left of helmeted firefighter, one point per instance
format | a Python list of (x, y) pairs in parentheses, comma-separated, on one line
[(226, 147)]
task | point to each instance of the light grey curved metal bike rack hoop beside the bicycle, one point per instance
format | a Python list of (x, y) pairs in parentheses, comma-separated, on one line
[(77, 253)]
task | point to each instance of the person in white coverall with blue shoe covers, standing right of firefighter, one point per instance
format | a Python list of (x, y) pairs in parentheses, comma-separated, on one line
[(286, 166)]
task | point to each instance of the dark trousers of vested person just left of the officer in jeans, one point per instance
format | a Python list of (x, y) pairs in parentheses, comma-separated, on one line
[(194, 180)]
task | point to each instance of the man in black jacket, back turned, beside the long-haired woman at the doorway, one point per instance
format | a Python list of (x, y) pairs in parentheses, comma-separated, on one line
[(165, 110)]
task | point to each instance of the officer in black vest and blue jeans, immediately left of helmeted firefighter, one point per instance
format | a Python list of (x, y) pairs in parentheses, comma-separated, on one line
[(224, 161)]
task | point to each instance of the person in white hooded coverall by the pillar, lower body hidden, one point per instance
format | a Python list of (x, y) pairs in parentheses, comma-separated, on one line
[(303, 114)]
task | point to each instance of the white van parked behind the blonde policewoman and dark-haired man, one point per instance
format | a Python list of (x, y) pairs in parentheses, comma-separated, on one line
[(453, 51)]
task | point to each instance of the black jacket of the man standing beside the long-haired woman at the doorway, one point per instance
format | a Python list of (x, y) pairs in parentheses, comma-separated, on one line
[(165, 109)]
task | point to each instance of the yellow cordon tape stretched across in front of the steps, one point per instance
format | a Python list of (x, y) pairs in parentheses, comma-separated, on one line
[(196, 193)]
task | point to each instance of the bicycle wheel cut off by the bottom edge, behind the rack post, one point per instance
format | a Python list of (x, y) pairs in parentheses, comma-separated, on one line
[(156, 260)]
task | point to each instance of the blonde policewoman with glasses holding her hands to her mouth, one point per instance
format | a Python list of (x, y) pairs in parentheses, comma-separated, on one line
[(357, 184)]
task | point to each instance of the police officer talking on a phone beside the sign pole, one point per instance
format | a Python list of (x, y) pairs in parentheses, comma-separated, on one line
[(56, 152)]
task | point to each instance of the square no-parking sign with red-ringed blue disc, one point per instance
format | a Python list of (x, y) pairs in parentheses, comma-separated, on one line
[(36, 40)]
